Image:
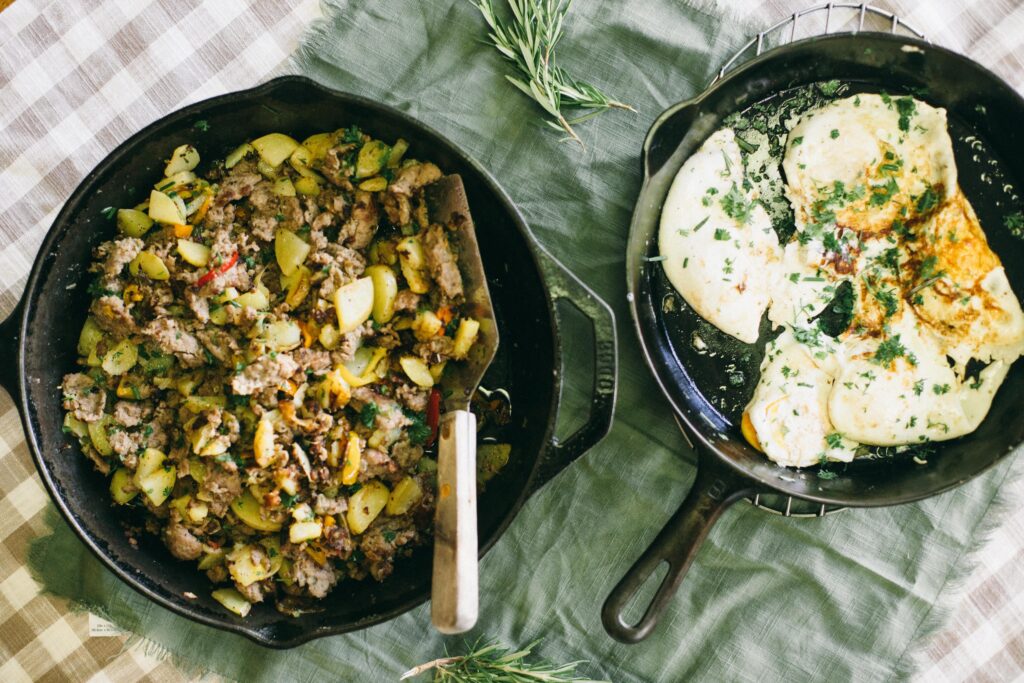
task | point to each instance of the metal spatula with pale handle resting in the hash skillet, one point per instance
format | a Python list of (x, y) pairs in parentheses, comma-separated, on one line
[(455, 600)]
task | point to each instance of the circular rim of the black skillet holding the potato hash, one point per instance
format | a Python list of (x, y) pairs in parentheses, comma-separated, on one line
[(24, 310)]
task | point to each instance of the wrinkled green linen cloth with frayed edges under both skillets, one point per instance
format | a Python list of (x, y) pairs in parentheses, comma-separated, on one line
[(841, 599)]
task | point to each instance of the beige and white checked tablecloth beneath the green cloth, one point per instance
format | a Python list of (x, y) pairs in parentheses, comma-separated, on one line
[(78, 78)]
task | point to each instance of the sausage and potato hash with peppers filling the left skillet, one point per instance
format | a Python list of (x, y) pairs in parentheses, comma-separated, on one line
[(262, 361)]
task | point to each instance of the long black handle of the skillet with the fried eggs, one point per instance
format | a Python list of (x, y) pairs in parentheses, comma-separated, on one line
[(715, 490)]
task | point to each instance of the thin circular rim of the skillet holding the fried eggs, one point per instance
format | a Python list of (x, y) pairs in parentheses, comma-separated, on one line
[(700, 433)]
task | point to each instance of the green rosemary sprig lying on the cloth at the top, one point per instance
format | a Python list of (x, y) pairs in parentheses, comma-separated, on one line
[(529, 42)]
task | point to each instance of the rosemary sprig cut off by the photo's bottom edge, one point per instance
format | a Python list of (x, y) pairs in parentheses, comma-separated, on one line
[(490, 663)]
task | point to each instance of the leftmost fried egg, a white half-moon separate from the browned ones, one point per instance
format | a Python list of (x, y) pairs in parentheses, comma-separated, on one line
[(717, 243)]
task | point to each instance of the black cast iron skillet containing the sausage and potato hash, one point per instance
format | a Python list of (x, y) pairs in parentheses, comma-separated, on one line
[(39, 339)]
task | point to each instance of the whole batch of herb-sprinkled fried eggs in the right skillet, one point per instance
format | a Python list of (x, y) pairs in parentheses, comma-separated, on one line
[(883, 273)]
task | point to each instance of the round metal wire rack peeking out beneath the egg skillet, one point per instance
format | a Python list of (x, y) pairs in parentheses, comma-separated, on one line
[(818, 21)]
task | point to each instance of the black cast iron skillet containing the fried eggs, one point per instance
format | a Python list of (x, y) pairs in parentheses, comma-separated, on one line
[(986, 124)]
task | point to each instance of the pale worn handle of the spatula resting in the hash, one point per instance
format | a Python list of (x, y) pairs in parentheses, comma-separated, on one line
[(455, 599)]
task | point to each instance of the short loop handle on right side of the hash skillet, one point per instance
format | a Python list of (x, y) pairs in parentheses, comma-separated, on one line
[(564, 286)]
